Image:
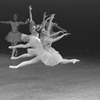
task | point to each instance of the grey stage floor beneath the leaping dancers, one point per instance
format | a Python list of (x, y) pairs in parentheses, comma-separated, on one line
[(80, 81)]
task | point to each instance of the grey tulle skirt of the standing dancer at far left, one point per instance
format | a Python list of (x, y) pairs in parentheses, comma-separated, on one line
[(13, 37)]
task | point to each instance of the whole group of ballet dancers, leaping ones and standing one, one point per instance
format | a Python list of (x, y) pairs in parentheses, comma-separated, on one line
[(38, 43)]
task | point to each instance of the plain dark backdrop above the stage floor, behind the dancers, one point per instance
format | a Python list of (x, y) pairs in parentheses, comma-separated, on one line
[(79, 17)]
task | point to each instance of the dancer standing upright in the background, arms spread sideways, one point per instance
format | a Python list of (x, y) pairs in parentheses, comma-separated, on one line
[(14, 36)]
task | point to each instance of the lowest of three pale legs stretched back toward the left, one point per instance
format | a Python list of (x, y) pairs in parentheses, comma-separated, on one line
[(25, 63)]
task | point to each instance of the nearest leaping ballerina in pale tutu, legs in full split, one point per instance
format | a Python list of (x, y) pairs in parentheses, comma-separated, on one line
[(48, 55)]
